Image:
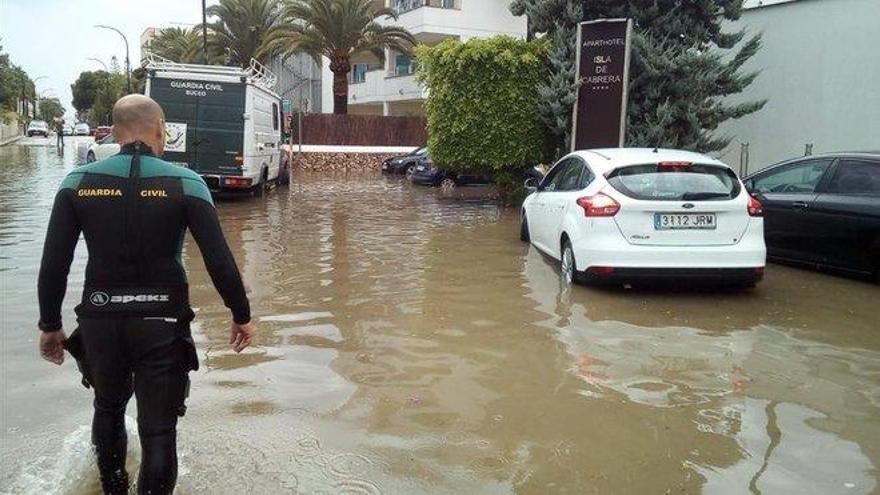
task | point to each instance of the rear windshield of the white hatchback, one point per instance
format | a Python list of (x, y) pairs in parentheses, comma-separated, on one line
[(675, 182)]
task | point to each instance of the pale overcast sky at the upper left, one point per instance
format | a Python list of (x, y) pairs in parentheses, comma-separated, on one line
[(54, 38)]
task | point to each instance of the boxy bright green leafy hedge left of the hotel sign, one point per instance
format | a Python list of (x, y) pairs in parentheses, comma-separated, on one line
[(482, 105)]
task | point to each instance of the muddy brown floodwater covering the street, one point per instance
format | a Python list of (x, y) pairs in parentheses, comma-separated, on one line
[(409, 343)]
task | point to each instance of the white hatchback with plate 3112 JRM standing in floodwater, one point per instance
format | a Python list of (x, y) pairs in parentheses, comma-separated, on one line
[(624, 214)]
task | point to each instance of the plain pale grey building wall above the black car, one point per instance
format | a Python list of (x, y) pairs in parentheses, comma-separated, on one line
[(820, 66)]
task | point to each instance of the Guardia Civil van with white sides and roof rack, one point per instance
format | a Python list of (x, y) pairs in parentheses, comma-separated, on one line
[(223, 122)]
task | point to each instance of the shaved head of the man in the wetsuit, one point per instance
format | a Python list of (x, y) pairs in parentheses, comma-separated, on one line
[(139, 118)]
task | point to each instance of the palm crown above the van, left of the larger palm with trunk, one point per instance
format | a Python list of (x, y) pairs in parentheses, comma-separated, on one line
[(240, 29)]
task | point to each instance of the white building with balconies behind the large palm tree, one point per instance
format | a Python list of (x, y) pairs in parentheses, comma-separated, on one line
[(391, 88)]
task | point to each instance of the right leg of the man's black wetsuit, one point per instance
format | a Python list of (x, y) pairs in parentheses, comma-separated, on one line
[(160, 387)]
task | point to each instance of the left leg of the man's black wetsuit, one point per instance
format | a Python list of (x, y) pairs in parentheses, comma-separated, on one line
[(111, 377)]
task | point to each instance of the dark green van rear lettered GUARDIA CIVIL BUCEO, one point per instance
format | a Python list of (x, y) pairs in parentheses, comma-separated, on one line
[(204, 123)]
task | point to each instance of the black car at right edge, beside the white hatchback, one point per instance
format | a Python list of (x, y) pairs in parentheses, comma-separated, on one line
[(823, 211)]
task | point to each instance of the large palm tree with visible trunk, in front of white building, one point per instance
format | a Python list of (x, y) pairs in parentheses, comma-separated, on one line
[(338, 30)]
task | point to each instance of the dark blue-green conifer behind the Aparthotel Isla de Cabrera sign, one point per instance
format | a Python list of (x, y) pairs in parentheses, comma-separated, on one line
[(680, 73)]
